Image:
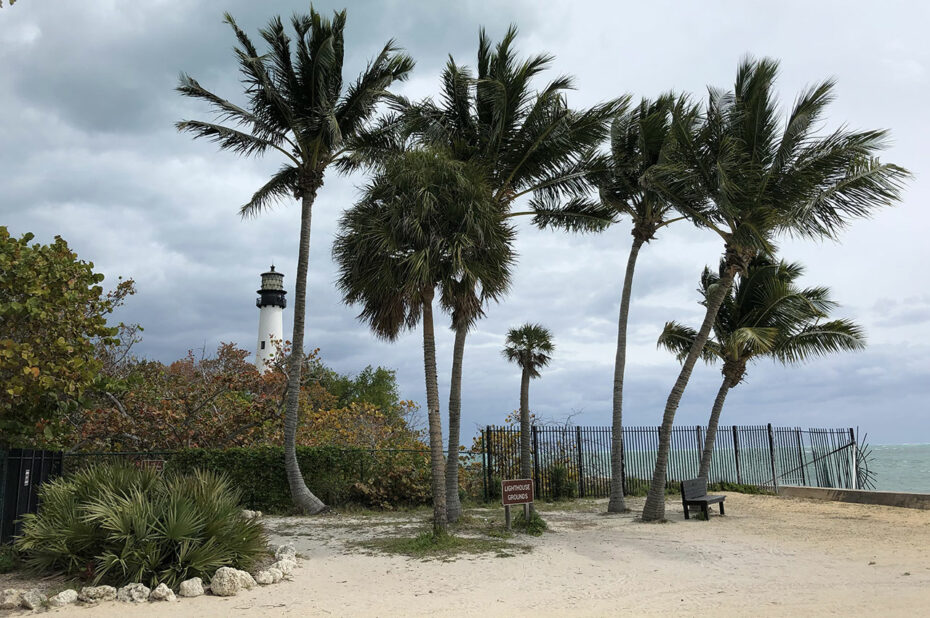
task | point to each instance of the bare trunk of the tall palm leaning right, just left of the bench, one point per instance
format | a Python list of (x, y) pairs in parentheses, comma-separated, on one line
[(655, 500)]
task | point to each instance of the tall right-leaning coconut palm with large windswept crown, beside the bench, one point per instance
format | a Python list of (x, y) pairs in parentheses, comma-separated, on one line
[(748, 177)]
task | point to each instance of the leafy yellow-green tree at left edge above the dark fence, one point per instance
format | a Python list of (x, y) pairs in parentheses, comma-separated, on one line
[(53, 311)]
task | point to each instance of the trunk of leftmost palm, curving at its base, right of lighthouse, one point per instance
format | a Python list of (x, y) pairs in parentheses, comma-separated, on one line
[(303, 498)]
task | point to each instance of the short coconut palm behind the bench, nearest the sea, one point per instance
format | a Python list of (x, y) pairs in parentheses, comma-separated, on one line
[(765, 314)]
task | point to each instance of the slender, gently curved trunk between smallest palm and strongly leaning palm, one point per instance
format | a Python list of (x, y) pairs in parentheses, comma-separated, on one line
[(616, 504)]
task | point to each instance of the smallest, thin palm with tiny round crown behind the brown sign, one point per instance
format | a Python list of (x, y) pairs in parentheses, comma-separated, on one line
[(530, 347)]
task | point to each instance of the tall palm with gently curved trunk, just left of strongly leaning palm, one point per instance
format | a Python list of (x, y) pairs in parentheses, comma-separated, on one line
[(639, 139)]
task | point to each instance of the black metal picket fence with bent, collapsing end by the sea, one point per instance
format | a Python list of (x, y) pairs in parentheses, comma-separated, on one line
[(576, 460)]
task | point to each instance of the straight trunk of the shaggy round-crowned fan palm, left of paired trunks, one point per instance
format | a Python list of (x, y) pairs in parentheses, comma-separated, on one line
[(435, 422)]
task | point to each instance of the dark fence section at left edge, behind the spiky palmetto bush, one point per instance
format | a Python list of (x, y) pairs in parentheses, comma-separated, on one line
[(21, 473)]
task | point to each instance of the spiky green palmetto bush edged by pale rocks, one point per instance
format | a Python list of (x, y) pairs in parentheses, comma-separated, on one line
[(118, 524)]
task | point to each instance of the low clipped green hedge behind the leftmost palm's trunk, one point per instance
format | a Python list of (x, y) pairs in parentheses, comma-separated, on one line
[(381, 479)]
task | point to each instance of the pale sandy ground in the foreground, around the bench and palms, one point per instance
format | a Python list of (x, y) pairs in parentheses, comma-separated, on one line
[(768, 556)]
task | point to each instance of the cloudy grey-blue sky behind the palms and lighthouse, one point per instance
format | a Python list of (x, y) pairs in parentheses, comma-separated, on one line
[(88, 151)]
